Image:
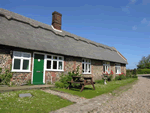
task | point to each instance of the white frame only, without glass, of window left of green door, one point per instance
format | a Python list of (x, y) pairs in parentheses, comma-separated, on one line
[(21, 62)]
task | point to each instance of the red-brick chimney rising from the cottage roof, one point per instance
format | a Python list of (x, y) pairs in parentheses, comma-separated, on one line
[(56, 20)]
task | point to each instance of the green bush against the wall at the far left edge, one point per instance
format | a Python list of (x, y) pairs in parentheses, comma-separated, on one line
[(5, 78)]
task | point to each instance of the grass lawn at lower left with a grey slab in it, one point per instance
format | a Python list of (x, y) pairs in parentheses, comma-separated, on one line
[(40, 102)]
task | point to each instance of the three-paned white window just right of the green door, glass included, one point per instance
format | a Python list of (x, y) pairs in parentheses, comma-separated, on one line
[(54, 63)]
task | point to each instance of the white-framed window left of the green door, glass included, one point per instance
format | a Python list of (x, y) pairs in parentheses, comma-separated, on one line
[(21, 62)]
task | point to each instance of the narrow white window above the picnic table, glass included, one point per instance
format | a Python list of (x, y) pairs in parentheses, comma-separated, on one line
[(86, 66)]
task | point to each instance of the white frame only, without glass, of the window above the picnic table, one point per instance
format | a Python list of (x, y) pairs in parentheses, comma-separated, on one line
[(88, 63)]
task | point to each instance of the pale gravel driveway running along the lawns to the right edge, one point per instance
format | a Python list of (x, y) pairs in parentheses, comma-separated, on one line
[(134, 100)]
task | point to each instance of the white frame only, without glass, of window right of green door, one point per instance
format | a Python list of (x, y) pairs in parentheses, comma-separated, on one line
[(51, 59)]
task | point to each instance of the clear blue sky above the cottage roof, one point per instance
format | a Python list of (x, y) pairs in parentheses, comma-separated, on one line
[(123, 24)]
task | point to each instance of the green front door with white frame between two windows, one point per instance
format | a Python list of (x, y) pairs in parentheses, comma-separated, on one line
[(38, 69)]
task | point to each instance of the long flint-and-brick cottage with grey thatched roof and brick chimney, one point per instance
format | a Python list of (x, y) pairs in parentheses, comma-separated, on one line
[(39, 52)]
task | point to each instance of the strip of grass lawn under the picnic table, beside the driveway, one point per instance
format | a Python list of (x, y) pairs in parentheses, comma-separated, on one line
[(88, 91)]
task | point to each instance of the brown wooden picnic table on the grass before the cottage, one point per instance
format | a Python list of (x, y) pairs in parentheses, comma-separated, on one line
[(85, 81)]
